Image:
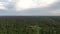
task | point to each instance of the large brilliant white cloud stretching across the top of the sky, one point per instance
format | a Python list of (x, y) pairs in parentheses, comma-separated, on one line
[(26, 4)]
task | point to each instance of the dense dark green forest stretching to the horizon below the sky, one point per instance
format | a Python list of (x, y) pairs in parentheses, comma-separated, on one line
[(29, 25)]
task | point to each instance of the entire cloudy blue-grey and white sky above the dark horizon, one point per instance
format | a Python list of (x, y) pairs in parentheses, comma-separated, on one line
[(29, 7)]
